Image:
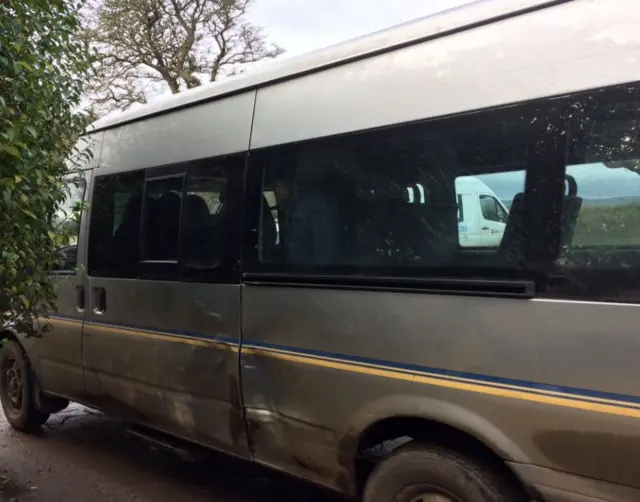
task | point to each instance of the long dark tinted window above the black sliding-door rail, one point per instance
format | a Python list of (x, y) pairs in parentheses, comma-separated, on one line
[(387, 198)]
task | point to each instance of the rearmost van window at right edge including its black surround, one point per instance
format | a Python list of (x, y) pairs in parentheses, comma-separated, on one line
[(599, 234)]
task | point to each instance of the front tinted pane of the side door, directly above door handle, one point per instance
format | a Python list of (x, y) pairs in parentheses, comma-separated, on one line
[(114, 233)]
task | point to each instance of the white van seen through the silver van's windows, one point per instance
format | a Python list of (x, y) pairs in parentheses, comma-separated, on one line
[(482, 217)]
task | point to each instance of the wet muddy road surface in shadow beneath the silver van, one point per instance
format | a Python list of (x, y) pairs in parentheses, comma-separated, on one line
[(84, 456)]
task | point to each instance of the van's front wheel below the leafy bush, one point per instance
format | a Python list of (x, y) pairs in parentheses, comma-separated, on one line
[(17, 390)]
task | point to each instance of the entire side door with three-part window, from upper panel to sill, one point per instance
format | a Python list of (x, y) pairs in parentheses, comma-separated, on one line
[(160, 350)]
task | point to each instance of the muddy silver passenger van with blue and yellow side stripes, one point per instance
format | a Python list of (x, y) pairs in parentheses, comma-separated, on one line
[(306, 367)]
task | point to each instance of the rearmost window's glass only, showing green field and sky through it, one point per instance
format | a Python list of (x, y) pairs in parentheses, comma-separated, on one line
[(602, 216)]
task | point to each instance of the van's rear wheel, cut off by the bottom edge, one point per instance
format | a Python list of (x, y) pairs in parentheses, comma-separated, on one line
[(429, 473)]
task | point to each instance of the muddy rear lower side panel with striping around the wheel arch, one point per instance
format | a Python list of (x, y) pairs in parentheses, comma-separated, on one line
[(319, 371)]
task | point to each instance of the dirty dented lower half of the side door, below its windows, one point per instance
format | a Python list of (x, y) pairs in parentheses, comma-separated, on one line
[(154, 358)]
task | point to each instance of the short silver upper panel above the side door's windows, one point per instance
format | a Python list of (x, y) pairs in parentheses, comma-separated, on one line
[(208, 130)]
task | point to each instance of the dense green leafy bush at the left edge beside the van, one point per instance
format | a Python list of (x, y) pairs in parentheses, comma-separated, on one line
[(44, 67)]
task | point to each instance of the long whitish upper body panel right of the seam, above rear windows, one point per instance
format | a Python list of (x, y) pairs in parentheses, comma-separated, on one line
[(561, 49)]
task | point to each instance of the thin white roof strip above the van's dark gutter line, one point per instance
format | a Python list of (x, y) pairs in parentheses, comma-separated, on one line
[(476, 13)]
